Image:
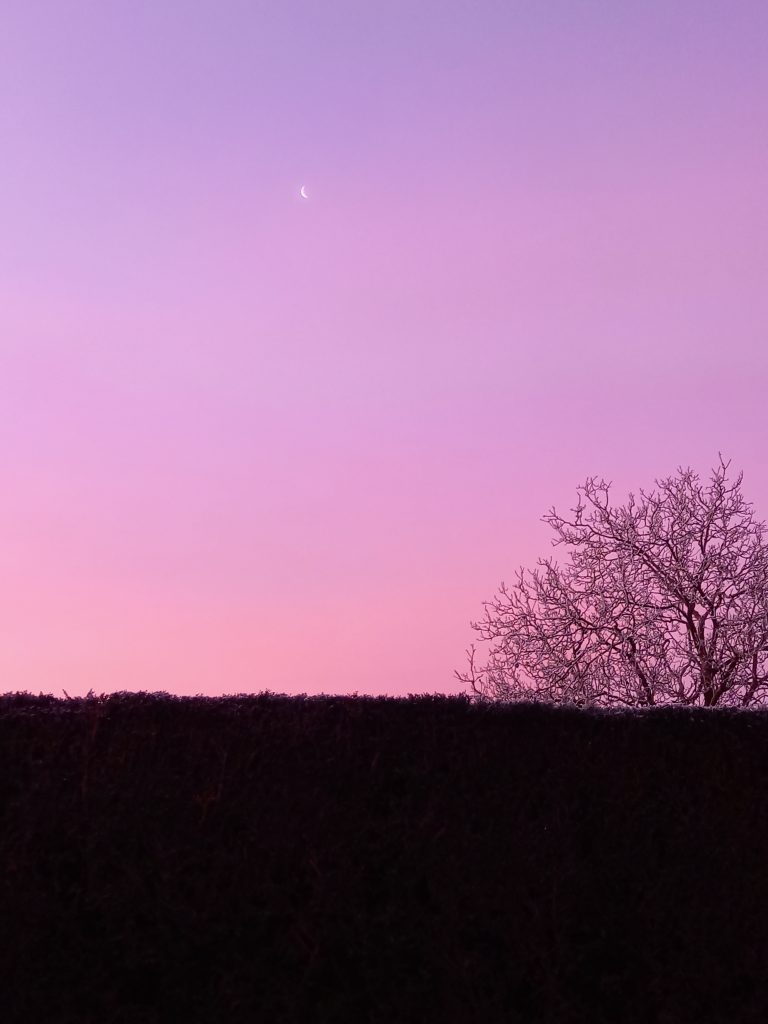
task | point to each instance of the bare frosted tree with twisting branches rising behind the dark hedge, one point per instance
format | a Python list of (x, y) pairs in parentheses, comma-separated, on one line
[(664, 603)]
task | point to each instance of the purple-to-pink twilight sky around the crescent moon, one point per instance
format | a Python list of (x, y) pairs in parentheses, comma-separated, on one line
[(251, 442)]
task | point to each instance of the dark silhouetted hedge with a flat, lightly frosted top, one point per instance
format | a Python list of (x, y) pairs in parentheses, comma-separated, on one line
[(280, 860)]
